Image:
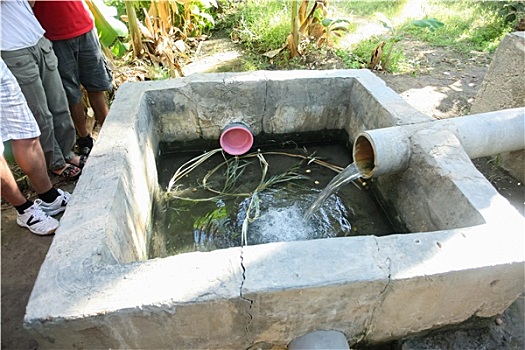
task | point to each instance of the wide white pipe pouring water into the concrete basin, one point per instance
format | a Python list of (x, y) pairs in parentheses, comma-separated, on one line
[(387, 151)]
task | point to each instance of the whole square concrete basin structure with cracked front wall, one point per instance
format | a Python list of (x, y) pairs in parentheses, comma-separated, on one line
[(96, 290)]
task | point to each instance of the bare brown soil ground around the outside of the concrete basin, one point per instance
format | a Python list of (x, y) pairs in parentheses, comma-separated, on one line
[(443, 84)]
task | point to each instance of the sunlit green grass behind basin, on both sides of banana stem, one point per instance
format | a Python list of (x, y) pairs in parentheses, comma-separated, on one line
[(262, 25)]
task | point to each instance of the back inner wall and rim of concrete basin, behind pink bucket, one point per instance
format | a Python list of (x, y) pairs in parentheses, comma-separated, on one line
[(201, 106)]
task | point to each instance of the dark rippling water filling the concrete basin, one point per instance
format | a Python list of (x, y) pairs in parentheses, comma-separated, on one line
[(209, 221)]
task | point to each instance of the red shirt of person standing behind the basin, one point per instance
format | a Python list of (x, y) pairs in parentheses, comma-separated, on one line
[(63, 19)]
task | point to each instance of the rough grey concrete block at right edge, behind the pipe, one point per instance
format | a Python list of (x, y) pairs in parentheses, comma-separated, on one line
[(504, 87)]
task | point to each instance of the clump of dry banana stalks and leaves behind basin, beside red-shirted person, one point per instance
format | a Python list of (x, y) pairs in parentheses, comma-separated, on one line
[(156, 30)]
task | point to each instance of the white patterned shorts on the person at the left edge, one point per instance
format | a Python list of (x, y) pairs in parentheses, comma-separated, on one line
[(16, 120)]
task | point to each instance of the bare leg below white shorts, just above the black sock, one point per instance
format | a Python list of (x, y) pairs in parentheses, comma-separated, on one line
[(30, 158)]
